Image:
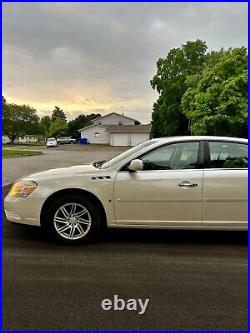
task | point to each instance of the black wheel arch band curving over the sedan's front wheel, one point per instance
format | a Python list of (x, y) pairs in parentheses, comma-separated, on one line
[(78, 191)]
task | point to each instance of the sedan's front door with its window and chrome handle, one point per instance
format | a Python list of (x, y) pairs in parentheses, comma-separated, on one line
[(168, 191)]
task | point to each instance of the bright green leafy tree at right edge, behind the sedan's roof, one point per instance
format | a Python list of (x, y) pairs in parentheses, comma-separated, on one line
[(217, 105)]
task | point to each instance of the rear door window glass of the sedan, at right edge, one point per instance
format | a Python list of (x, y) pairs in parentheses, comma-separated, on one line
[(228, 155)]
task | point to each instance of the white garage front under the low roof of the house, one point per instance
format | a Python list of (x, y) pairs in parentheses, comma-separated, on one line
[(127, 139)]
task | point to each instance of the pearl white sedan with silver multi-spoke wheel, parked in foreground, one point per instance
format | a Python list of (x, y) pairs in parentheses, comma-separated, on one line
[(192, 182)]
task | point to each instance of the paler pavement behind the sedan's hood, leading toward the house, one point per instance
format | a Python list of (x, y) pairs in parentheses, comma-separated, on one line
[(58, 157)]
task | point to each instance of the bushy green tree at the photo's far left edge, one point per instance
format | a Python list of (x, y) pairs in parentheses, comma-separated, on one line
[(19, 120)]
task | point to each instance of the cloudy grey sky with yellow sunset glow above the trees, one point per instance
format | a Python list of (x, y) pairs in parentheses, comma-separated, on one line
[(89, 57)]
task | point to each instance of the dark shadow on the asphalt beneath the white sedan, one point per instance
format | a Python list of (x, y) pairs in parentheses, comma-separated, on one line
[(140, 236)]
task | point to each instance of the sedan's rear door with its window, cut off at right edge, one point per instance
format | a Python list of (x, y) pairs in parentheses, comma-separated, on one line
[(225, 185)]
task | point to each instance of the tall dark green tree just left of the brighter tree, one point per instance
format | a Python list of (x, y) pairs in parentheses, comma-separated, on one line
[(170, 83)]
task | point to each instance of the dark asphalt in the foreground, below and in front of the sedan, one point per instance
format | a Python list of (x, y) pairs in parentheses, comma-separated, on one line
[(195, 280)]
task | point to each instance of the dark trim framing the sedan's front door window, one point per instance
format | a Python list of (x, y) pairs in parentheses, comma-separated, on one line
[(200, 160)]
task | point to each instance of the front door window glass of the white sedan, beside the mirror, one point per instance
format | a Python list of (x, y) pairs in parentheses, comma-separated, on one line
[(172, 157)]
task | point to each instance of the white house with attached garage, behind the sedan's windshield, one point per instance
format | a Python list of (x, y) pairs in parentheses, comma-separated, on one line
[(117, 130)]
